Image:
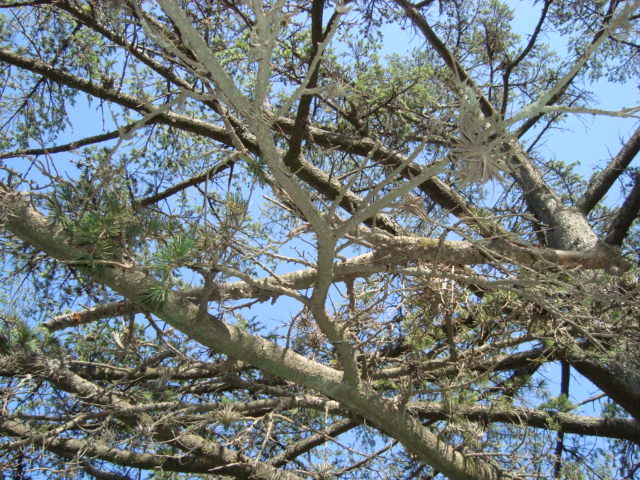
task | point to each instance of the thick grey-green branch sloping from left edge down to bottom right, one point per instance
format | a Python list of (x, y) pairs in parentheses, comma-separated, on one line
[(32, 227)]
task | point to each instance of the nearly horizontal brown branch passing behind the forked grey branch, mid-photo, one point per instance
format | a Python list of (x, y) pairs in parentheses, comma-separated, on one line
[(389, 252)]
